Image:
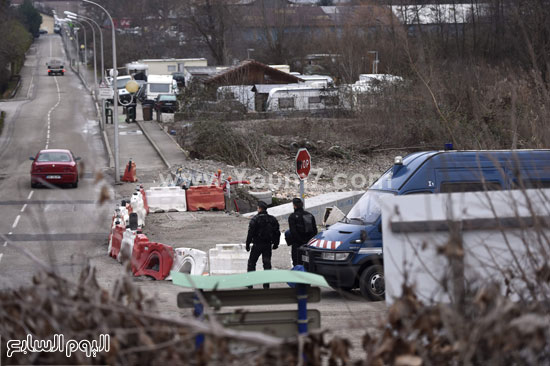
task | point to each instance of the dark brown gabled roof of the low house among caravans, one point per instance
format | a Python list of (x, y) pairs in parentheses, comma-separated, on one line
[(250, 72)]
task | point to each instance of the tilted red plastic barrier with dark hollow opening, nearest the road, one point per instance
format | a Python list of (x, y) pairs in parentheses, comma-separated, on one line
[(151, 259)]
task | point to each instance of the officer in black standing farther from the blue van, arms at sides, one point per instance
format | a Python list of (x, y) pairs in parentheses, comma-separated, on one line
[(264, 234)]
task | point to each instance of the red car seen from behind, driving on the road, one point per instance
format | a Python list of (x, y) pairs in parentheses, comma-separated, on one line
[(54, 166)]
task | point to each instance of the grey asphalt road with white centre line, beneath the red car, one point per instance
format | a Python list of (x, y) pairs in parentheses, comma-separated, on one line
[(62, 227)]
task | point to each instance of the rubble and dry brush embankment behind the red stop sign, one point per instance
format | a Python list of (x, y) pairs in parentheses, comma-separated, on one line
[(345, 154)]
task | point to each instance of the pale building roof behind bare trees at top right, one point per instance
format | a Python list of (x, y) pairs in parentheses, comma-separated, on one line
[(438, 13)]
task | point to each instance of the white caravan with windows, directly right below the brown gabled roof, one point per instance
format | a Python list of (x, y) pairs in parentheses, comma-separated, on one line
[(302, 98)]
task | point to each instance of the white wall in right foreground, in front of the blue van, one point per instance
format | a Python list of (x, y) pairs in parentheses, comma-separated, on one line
[(485, 250)]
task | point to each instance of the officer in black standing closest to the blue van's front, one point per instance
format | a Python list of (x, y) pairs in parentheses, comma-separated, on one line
[(302, 228)]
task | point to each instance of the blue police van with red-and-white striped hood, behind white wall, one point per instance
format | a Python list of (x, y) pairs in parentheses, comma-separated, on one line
[(349, 253)]
